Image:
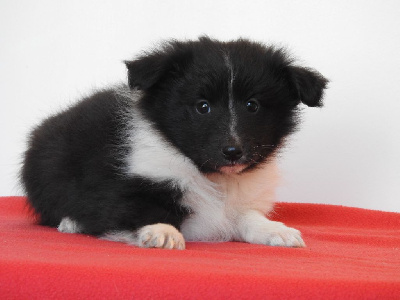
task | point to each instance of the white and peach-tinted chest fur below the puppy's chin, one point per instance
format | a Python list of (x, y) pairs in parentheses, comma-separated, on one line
[(217, 211)]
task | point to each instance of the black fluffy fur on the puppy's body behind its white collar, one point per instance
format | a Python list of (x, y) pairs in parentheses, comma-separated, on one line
[(72, 168)]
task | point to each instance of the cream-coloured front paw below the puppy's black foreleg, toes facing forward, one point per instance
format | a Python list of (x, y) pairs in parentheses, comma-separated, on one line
[(160, 236)]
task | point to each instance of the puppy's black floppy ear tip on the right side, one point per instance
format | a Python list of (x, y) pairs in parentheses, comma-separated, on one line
[(308, 84)]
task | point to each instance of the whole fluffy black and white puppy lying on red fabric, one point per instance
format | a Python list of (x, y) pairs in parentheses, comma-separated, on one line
[(184, 153)]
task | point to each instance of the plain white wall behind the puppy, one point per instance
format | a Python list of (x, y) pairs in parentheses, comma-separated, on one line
[(347, 153)]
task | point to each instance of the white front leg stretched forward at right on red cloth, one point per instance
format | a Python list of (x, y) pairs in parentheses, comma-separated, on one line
[(255, 228)]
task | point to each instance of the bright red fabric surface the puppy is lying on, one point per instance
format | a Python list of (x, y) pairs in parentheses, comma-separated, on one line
[(351, 254)]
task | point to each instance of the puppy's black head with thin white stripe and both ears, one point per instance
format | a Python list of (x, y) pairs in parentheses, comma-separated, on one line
[(226, 105)]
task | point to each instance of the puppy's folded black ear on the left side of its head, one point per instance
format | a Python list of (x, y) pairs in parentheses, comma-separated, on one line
[(148, 70)]
